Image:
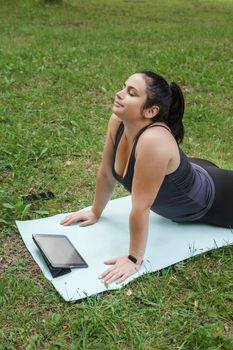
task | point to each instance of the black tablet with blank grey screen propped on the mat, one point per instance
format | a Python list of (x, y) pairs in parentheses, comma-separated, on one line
[(59, 251)]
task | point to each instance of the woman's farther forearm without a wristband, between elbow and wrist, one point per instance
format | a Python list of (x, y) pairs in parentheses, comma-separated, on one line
[(104, 188)]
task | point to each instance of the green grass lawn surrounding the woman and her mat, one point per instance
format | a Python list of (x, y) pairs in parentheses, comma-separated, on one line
[(60, 65)]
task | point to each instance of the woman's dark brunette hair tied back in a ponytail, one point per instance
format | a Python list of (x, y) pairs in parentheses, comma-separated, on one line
[(170, 100)]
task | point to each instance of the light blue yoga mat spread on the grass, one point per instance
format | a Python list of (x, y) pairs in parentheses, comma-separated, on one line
[(168, 243)]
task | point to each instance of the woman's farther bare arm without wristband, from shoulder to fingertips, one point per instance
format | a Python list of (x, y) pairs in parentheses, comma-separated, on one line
[(105, 181)]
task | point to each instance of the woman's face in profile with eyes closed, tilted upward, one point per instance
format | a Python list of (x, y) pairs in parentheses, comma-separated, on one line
[(129, 101)]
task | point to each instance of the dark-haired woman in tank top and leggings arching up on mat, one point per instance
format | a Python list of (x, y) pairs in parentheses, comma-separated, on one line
[(142, 152)]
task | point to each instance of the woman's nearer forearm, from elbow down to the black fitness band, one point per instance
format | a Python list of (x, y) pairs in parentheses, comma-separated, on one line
[(138, 224)]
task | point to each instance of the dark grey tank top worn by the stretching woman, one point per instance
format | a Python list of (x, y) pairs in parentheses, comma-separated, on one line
[(185, 195)]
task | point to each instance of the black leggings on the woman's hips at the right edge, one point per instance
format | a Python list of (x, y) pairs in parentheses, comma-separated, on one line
[(221, 212)]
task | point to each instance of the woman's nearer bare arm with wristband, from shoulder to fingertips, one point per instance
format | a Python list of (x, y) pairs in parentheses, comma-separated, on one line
[(152, 159)]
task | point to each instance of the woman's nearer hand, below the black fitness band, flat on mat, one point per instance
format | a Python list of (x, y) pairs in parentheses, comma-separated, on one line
[(122, 268)]
